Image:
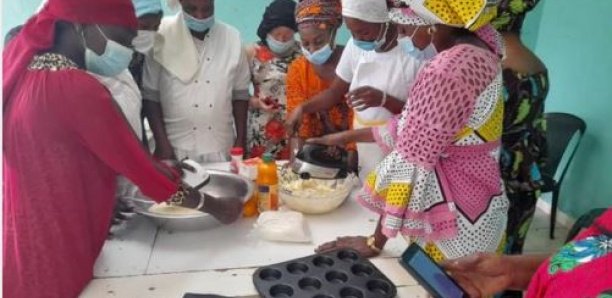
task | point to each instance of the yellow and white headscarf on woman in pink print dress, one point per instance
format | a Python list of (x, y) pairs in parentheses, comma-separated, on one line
[(469, 14)]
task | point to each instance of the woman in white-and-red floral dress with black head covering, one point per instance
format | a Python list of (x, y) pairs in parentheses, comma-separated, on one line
[(269, 61)]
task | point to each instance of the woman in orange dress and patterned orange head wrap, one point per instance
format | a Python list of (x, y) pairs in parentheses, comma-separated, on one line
[(318, 22)]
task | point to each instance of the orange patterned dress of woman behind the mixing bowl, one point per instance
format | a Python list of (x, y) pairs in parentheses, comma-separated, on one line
[(303, 83)]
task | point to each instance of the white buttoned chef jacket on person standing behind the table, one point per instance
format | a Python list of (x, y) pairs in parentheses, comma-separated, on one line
[(198, 113)]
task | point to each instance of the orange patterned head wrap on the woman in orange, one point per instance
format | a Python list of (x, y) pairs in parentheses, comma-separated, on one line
[(323, 14)]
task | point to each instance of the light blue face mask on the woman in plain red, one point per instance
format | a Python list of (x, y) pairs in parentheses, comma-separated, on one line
[(115, 59)]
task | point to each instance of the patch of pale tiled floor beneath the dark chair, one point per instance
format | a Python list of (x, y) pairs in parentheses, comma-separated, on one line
[(537, 238)]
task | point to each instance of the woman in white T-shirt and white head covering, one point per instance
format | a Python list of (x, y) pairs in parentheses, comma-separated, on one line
[(372, 75)]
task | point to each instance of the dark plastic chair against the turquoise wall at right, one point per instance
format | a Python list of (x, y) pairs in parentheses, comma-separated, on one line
[(564, 133)]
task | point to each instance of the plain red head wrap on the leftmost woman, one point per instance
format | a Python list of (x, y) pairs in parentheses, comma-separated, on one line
[(38, 33)]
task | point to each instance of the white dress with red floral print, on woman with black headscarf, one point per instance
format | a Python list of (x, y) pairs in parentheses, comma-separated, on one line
[(266, 131)]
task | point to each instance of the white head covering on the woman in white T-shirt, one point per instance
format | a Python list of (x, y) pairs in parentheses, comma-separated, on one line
[(372, 11)]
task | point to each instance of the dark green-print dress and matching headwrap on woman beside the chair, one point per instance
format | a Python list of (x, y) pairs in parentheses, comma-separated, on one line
[(524, 139)]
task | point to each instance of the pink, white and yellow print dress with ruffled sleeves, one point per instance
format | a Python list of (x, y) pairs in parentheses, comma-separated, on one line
[(440, 185)]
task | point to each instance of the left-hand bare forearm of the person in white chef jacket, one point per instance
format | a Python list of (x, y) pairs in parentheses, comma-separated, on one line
[(154, 113)]
